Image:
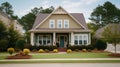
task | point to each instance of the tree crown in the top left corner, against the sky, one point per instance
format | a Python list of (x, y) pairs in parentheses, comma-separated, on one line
[(6, 8)]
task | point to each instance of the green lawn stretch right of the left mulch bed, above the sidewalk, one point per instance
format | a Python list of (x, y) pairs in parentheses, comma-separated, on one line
[(72, 55)]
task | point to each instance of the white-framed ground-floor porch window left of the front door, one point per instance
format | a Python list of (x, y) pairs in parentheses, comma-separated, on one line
[(44, 39)]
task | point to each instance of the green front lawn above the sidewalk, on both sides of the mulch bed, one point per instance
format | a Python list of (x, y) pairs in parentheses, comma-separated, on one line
[(67, 55)]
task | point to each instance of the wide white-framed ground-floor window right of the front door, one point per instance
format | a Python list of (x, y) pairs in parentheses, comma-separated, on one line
[(81, 39)]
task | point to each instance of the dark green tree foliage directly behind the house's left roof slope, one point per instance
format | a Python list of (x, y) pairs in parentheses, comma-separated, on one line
[(28, 19)]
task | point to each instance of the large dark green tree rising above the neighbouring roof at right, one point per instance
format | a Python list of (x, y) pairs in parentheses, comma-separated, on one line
[(105, 14)]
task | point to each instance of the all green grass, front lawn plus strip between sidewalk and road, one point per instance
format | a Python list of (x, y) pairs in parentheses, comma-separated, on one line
[(69, 55)]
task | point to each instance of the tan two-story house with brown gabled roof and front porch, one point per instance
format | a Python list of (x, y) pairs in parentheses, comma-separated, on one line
[(60, 28)]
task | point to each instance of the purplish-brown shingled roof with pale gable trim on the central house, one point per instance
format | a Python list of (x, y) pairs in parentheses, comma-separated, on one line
[(78, 17)]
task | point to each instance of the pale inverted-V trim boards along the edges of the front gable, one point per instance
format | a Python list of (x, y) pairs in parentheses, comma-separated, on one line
[(66, 13)]
